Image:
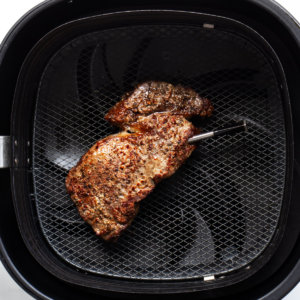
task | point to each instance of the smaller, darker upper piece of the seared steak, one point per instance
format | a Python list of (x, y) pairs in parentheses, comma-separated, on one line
[(143, 100)]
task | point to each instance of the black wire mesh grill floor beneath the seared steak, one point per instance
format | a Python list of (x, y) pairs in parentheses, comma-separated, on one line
[(220, 209)]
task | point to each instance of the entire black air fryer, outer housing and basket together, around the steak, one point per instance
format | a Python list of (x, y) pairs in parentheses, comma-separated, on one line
[(225, 225)]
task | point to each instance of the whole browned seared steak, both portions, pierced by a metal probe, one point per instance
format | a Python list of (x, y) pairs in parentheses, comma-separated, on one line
[(119, 171)]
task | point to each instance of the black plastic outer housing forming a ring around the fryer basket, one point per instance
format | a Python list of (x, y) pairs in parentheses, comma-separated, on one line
[(282, 272)]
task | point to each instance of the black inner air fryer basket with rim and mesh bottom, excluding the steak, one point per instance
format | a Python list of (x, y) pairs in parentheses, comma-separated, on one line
[(223, 212)]
